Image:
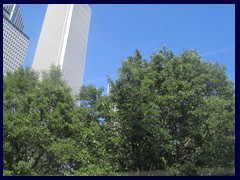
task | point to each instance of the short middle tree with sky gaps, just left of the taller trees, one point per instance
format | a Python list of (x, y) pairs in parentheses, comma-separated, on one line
[(99, 135)]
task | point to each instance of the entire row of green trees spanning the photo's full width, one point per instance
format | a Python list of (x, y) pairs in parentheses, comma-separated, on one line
[(174, 113)]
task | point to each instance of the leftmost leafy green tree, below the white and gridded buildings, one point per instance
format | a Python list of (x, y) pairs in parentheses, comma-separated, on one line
[(36, 115)]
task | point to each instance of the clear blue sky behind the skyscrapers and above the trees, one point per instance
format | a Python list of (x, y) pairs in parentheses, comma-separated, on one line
[(117, 30)]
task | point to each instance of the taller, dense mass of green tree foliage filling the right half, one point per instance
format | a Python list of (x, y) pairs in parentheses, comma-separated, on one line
[(175, 112)]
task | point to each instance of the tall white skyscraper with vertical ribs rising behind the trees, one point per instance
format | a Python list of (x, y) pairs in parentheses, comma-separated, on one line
[(63, 42)]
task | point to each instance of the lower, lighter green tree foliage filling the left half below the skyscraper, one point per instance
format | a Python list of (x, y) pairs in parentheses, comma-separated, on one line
[(45, 133)]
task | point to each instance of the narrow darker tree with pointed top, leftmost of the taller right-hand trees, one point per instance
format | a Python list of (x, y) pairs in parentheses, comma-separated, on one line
[(138, 116)]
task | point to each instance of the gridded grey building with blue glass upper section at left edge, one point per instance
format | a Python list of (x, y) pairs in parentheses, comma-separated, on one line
[(15, 41)]
